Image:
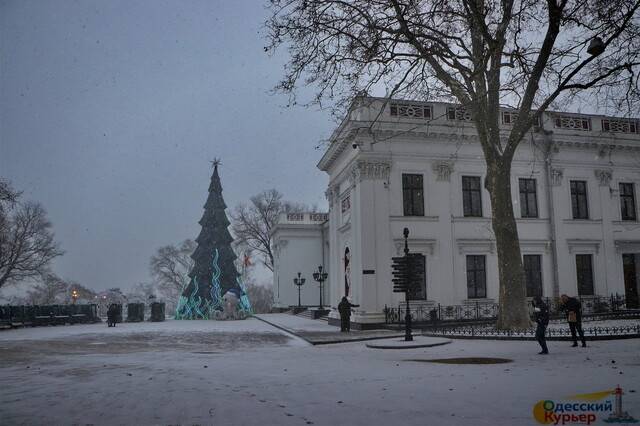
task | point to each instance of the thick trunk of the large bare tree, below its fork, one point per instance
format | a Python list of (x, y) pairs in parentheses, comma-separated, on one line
[(513, 312)]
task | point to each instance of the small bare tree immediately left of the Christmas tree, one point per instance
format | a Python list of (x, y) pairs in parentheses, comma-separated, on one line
[(170, 266)]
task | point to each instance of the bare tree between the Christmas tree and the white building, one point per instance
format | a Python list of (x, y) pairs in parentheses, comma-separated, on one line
[(252, 223)]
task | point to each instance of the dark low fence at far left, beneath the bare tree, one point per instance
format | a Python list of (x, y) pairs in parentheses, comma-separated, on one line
[(12, 316)]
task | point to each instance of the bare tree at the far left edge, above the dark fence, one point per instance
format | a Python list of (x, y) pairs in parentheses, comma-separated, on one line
[(27, 245)]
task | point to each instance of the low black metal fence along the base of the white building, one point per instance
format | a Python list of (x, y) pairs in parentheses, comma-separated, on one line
[(612, 306)]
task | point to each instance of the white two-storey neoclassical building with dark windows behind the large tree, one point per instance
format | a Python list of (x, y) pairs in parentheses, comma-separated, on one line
[(397, 164)]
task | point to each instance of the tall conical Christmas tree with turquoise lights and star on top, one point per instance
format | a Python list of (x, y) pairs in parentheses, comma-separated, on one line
[(214, 272)]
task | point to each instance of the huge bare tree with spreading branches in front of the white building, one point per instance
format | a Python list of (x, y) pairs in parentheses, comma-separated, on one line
[(483, 54)]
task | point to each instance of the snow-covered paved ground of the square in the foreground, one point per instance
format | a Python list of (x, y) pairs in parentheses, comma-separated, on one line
[(252, 373)]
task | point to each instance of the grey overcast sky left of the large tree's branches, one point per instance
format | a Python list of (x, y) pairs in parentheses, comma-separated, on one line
[(111, 112)]
